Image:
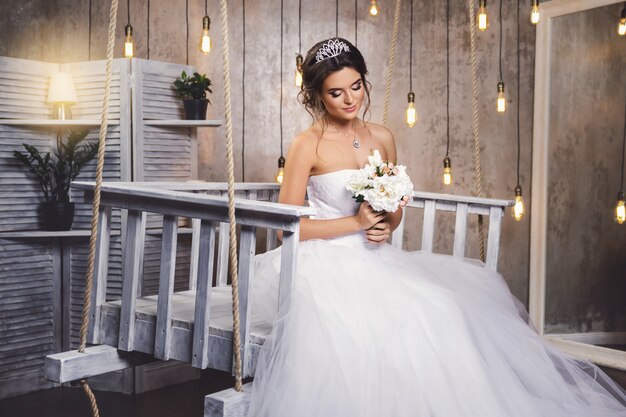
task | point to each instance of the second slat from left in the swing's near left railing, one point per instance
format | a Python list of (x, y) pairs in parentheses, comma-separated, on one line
[(131, 273)]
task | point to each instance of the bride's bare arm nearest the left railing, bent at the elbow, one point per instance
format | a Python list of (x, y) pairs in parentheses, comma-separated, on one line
[(299, 162)]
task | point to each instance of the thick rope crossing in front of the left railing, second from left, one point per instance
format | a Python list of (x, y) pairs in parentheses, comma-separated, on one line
[(231, 197)]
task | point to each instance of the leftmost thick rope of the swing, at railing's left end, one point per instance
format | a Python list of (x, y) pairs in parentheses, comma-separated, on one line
[(95, 208)]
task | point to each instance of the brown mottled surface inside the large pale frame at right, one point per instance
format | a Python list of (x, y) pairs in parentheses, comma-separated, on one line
[(587, 249)]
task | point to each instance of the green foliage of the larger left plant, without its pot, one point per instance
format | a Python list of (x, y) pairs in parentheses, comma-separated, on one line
[(56, 172)]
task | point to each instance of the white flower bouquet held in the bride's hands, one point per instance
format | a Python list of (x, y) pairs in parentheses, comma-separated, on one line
[(384, 185)]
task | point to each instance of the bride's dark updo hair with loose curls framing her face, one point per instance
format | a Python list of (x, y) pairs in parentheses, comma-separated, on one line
[(314, 73)]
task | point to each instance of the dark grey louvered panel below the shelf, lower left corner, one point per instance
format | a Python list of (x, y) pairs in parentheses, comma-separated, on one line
[(26, 316)]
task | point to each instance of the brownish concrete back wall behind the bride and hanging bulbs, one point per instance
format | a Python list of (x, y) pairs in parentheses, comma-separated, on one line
[(59, 30)]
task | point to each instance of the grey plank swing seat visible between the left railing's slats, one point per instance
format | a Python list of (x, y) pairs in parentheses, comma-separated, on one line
[(220, 333)]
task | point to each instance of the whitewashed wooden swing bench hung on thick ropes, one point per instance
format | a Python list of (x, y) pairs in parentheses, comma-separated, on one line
[(195, 326)]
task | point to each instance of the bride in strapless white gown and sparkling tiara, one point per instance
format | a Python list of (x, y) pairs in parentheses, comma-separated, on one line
[(370, 330)]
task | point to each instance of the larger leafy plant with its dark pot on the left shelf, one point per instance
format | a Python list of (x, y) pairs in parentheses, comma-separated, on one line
[(55, 174)]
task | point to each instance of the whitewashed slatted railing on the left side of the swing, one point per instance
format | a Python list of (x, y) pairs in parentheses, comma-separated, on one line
[(207, 213)]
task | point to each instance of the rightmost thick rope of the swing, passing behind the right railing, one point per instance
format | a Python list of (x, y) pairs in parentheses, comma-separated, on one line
[(478, 178)]
